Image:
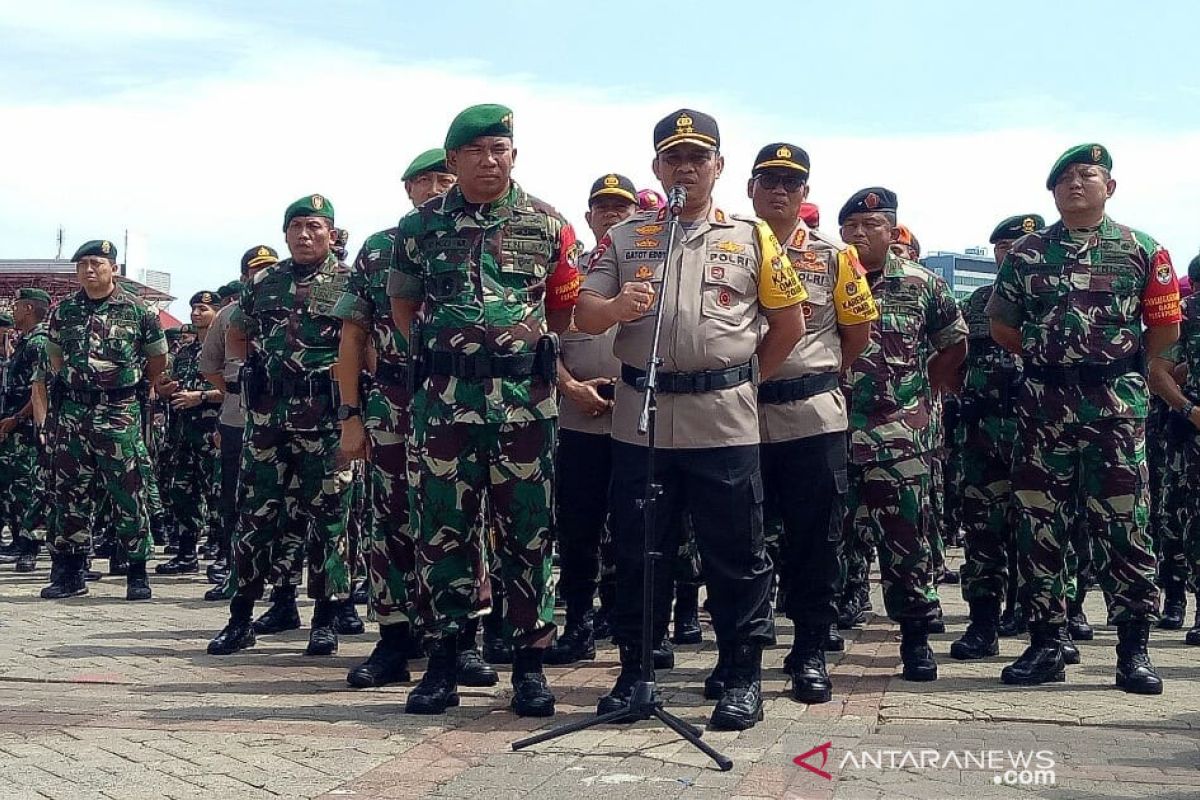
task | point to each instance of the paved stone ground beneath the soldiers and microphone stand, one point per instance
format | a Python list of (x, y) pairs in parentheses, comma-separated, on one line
[(103, 699)]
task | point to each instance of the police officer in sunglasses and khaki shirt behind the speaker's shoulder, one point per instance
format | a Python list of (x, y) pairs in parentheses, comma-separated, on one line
[(803, 414)]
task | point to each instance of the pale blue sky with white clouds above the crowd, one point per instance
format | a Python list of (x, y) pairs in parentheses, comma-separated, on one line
[(191, 124)]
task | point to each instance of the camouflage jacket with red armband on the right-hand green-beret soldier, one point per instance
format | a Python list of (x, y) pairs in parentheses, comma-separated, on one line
[(1081, 302)]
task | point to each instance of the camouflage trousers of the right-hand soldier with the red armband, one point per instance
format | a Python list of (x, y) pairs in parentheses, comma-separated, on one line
[(1095, 476)]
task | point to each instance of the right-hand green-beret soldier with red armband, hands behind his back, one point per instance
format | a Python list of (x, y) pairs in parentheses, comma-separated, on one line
[(1071, 300)]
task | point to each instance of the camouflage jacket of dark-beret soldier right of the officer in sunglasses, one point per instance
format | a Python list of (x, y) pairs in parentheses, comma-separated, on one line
[(889, 386)]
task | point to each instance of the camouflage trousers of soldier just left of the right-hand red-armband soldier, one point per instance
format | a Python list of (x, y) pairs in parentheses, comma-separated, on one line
[(987, 459)]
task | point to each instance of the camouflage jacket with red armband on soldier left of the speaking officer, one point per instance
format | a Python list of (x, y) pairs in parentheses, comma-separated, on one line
[(487, 275)]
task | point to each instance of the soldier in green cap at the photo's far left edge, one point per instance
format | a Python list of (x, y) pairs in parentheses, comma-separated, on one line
[(19, 437)]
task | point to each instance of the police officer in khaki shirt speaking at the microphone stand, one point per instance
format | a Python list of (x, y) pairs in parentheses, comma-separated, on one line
[(727, 274)]
